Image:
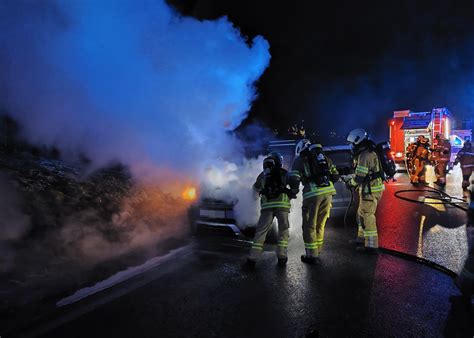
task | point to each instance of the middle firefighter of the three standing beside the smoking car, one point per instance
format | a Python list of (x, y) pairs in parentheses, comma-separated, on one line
[(317, 173)]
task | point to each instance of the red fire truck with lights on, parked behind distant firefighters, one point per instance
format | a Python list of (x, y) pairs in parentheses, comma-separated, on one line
[(407, 125)]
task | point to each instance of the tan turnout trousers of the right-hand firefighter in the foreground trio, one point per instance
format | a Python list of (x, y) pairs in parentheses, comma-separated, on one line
[(367, 224)]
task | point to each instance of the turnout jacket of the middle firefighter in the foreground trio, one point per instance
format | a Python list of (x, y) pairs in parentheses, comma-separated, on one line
[(300, 172)]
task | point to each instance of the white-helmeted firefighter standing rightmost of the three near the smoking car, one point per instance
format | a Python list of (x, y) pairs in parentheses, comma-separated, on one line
[(368, 180)]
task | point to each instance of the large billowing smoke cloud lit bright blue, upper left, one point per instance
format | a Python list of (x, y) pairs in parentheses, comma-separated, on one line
[(127, 80)]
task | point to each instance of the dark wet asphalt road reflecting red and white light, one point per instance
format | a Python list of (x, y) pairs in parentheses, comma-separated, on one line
[(211, 293)]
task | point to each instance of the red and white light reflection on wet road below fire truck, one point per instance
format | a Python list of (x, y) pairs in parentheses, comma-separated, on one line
[(433, 231)]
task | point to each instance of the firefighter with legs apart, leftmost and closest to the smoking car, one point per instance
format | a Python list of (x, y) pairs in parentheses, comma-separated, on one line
[(275, 196)]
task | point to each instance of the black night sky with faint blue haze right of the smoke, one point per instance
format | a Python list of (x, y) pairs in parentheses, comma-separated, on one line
[(346, 64)]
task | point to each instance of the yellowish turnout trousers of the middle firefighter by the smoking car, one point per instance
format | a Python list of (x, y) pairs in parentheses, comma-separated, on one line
[(316, 211)]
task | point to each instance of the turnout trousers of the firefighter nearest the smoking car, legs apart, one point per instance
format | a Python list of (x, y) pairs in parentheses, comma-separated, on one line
[(264, 225)]
